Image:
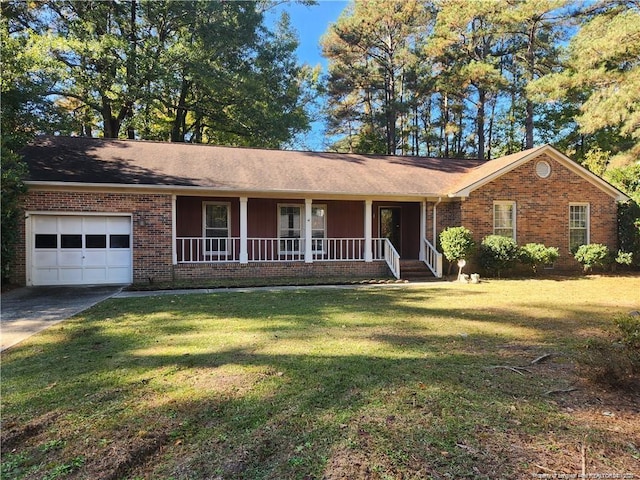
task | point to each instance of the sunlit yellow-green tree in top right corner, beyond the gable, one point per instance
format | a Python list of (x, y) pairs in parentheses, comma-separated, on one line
[(603, 68)]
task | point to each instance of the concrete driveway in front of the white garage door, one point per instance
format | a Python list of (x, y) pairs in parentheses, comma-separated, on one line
[(26, 311)]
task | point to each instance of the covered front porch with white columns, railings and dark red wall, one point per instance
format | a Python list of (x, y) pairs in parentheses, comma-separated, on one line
[(214, 234)]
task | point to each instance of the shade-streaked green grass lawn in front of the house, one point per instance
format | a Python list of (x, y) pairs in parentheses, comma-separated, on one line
[(391, 382)]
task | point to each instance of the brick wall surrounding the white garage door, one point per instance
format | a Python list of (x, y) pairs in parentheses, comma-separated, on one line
[(151, 242)]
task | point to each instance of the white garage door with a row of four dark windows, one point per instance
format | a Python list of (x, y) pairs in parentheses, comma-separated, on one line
[(80, 250)]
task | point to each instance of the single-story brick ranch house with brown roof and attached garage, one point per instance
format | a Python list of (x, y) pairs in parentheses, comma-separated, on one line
[(120, 211)]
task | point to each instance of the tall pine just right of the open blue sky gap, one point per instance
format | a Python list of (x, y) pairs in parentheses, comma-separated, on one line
[(371, 52)]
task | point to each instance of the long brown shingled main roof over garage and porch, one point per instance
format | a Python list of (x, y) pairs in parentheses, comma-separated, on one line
[(131, 162)]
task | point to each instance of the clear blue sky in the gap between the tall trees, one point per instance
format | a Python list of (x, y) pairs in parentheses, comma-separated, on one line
[(310, 23)]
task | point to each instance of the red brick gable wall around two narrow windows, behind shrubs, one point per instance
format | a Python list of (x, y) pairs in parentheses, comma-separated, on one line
[(542, 208)]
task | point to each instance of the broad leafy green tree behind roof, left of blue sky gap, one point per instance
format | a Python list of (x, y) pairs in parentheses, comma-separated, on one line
[(195, 71)]
